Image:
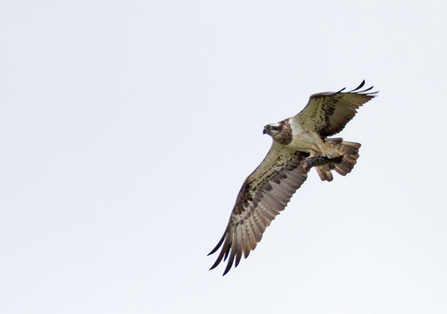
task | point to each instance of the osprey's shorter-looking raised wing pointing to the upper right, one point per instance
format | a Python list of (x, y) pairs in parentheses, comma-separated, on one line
[(328, 113)]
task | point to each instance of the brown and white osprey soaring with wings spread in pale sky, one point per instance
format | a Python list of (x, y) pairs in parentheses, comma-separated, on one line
[(299, 143)]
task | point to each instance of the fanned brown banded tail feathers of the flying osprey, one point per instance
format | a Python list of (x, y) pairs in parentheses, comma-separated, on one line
[(348, 155)]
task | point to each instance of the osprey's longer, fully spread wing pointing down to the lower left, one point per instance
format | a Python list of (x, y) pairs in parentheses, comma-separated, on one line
[(263, 195)]
